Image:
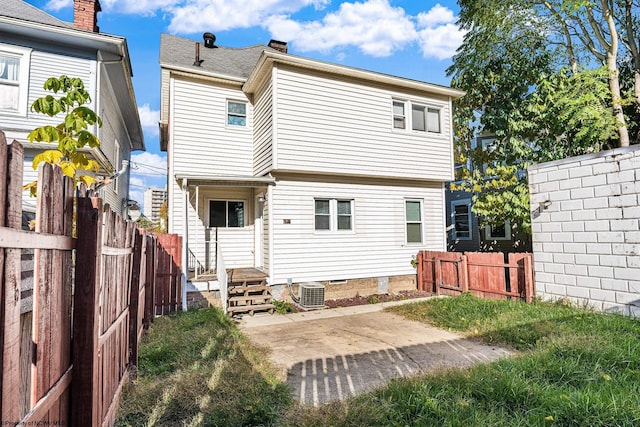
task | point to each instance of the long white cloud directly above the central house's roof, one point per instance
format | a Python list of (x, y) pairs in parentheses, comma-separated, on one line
[(374, 26)]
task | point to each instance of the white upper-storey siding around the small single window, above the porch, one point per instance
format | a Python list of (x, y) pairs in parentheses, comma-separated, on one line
[(203, 144)]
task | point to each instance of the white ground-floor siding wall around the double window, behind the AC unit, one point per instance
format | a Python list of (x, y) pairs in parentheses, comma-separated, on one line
[(376, 246)]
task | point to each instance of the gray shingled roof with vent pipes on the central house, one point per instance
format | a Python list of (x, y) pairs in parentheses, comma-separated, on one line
[(236, 62)]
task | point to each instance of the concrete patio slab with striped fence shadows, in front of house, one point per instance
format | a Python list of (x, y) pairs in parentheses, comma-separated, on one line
[(333, 354)]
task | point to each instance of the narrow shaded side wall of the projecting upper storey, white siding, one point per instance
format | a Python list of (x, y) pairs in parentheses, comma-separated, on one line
[(263, 131)]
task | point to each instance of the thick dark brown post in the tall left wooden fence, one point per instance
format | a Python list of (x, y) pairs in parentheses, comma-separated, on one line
[(85, 385)]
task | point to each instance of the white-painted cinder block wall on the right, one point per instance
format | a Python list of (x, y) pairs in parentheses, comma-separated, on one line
[(586, 229)]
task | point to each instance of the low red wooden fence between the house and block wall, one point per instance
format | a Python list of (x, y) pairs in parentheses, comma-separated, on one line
[(484, 274)]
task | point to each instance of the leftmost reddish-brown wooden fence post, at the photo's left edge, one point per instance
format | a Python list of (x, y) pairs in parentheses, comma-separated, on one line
[(11, 215)]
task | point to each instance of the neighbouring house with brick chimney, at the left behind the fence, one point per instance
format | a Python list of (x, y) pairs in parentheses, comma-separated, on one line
[(35, 46)]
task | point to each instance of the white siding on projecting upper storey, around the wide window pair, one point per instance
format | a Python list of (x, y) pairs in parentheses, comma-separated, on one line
[(346, 127)]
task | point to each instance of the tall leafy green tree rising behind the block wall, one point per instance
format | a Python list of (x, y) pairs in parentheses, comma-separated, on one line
[(543, 77)]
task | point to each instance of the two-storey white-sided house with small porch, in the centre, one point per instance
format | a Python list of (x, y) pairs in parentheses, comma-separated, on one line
[(306, 170)]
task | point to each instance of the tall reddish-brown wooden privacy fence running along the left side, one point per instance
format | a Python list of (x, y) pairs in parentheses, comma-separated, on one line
[(68, 345)]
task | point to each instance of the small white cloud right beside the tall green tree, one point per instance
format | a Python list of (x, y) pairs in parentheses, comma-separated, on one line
[(439, 36)]
